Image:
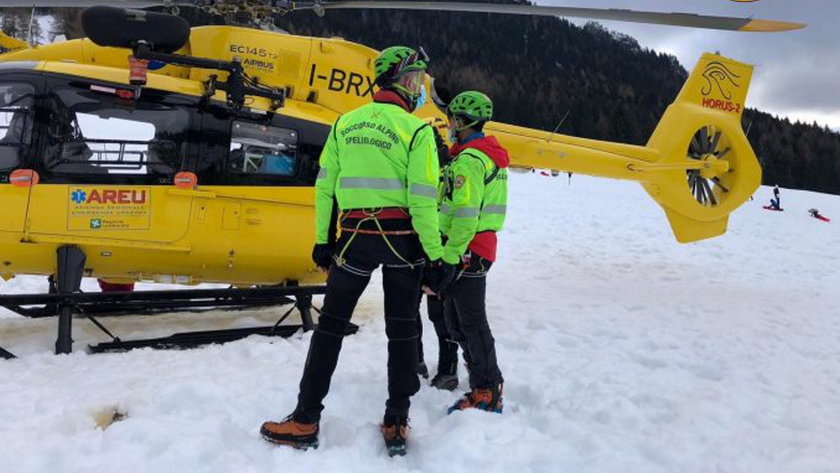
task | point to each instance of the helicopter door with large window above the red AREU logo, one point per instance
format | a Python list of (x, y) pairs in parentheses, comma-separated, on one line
[(107, 162)]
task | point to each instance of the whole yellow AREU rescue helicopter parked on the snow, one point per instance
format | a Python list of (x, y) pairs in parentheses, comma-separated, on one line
[(150, 151)]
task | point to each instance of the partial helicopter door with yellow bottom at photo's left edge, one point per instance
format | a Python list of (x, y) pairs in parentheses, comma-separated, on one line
[(16, 125)]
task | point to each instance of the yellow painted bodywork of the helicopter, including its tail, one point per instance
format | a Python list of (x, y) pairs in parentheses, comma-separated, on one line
[(263, 234)]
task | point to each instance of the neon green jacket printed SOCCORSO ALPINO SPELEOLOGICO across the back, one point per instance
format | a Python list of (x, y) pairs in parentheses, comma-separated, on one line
[(379, 155)]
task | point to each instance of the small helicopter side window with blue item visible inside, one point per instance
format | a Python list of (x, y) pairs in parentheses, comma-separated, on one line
[(262, 150)]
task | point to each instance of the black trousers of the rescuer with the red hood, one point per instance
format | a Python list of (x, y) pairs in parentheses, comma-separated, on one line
[(466, 319)]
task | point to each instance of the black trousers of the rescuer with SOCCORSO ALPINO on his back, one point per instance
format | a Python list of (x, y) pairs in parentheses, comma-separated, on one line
[(402, 259)]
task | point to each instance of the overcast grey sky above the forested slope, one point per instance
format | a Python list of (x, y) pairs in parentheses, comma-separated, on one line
[(797, 73)]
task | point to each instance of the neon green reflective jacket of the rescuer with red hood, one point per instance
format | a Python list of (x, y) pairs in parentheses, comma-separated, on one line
[(469, 205)]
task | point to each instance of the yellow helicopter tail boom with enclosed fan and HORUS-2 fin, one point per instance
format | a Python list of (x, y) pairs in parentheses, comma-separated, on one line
[(698, 164)]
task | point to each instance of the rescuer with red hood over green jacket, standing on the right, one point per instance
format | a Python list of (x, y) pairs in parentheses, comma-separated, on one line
[(472, 211)]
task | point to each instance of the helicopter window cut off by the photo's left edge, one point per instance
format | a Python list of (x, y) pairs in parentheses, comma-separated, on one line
[(16, 101)]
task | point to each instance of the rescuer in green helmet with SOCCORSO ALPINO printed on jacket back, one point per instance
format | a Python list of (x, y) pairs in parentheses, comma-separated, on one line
[(378, 180)]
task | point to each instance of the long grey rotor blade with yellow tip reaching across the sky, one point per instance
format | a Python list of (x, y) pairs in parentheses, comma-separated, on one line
[(675, 19)]
